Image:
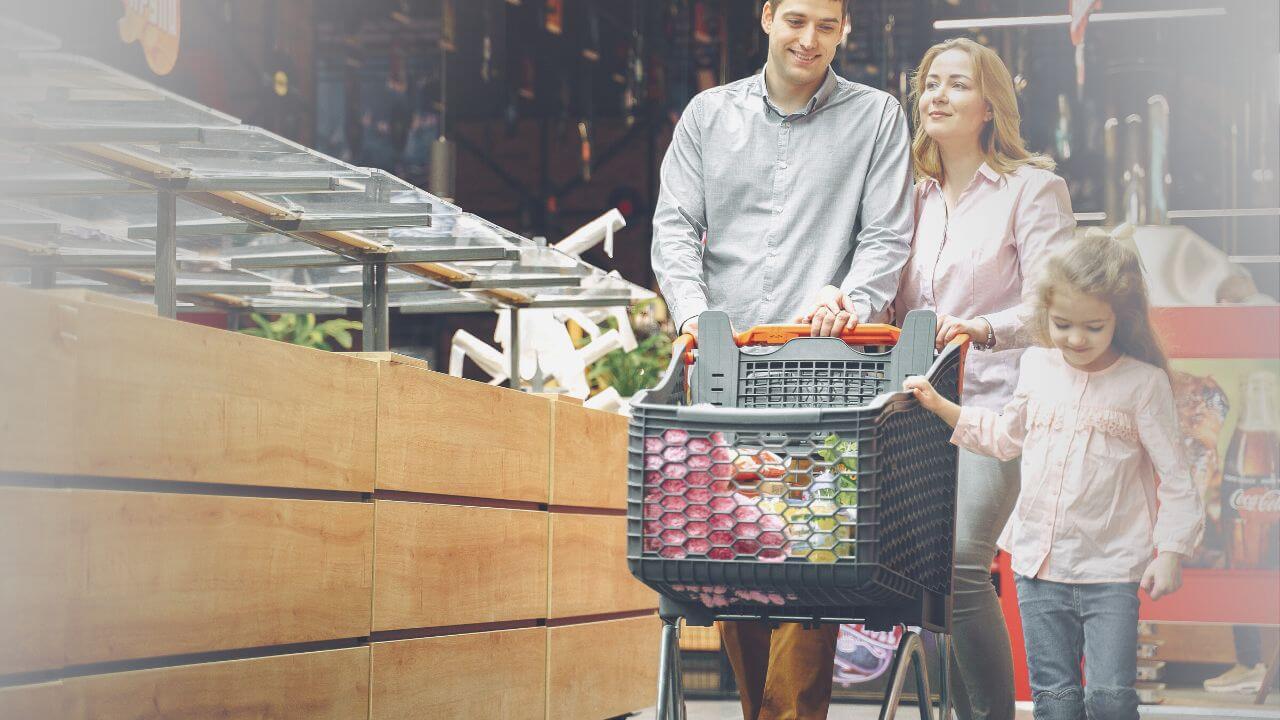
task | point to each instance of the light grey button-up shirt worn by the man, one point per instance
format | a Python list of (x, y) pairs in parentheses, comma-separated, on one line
[(788, 204)]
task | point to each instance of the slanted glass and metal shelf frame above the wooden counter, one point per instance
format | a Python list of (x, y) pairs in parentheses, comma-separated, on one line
[(79, 131)]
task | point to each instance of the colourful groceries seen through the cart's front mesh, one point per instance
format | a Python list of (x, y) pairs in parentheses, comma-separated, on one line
[(742, 496)]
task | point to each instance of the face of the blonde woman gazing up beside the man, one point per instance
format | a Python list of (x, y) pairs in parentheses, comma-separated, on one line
[(952, 110)]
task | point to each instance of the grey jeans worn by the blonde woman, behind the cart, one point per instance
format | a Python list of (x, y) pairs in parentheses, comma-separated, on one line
[(984, 668)]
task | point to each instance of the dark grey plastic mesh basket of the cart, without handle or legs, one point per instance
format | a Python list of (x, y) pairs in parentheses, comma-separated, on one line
[(735, 517)]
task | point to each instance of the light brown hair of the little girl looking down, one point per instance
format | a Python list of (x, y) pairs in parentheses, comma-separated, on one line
[(1103, 268)]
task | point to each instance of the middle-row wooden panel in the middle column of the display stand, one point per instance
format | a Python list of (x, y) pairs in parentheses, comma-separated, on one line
[(440, 566)]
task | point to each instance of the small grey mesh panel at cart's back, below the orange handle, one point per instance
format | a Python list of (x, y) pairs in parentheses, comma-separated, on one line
[(810, 384)]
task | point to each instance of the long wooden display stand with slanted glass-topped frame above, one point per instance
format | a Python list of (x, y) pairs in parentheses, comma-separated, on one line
[(203, 523)]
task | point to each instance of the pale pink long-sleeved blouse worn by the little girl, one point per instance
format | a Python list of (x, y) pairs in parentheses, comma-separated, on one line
[(1091, 509)]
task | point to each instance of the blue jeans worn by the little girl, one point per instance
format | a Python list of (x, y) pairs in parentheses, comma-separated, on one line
[(1064, 623)]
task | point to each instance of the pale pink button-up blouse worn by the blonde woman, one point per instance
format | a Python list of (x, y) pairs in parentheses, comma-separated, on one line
[(980, 259)]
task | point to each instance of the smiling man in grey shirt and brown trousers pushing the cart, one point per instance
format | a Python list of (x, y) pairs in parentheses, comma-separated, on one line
[(787, 197)]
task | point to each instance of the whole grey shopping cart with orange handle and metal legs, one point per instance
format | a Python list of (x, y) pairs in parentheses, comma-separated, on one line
[(798, 485)]
